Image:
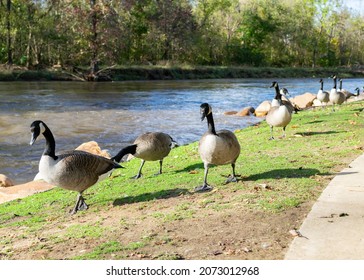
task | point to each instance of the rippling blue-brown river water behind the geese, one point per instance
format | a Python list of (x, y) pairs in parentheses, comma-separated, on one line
[(114, 114)]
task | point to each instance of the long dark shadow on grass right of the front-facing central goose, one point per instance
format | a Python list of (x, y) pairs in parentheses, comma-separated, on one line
[(285, 173)]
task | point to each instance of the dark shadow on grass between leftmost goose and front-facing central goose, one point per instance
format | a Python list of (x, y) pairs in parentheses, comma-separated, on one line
[(164, 194)]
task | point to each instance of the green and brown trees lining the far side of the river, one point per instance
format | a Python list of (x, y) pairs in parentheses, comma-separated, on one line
[(302, 33)]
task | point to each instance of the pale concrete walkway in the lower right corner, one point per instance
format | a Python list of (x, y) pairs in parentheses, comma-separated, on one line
[(334, 229)]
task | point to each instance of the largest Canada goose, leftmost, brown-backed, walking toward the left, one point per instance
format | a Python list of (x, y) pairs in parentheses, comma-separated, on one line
[(74, 170)]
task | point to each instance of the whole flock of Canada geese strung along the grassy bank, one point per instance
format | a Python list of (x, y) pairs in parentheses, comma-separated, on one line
[(79, 170)]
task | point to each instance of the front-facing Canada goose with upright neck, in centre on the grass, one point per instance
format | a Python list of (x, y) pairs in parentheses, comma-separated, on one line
[(216, 147)]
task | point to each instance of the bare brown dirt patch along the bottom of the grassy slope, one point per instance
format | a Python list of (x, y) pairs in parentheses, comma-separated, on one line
[(153, 231)]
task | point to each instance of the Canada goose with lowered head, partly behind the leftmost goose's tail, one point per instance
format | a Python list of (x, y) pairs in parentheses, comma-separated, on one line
[(149, 146)]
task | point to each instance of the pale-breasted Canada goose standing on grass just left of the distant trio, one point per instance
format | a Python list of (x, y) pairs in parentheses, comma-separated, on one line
[(279, 116)]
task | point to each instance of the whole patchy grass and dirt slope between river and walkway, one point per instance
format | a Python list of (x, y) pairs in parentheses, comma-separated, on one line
[(160, 217)]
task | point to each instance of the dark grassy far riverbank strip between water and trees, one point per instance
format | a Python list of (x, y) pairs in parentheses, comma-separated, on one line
[(127, 73)]
